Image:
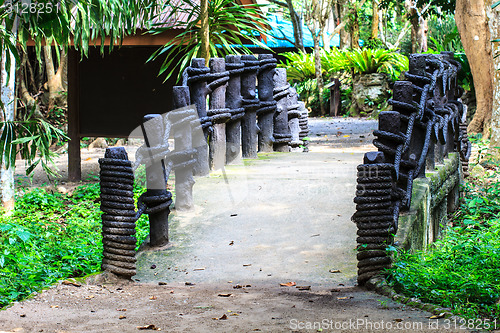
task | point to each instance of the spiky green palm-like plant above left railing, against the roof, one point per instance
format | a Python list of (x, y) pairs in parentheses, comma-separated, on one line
[(230, 27)]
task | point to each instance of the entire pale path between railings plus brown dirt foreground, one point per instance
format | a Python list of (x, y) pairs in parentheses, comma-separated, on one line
[(280, 218)]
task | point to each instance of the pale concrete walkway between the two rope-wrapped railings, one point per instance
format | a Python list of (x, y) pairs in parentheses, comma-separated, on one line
[(283, 217)]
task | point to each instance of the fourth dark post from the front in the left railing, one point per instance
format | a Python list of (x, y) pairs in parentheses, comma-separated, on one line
[(198, 75)]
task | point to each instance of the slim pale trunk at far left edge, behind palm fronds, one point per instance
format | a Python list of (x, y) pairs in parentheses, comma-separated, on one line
[(8, 100)]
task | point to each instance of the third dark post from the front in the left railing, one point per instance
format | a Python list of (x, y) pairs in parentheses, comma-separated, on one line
[(181, 119)]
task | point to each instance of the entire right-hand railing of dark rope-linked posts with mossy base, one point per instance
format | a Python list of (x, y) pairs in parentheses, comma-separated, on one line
[(406, 188)]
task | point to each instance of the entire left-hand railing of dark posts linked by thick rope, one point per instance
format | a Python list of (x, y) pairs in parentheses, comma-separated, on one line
[(250, 108)]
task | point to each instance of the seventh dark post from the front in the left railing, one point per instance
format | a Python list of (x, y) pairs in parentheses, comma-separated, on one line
[(251, 104)]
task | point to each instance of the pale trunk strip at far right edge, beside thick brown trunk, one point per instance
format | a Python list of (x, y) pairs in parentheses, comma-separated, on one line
[(494, 25)]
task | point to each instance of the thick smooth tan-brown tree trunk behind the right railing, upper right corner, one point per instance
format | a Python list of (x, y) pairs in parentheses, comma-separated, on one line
[(472, 23)]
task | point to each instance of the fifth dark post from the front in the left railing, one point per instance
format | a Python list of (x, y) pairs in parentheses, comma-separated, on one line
[(218, 113)]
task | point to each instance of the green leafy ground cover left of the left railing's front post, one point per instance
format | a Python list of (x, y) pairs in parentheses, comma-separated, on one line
[(51, 236)]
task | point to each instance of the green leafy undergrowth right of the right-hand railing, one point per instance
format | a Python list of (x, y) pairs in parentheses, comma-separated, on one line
[(461, 270)]
